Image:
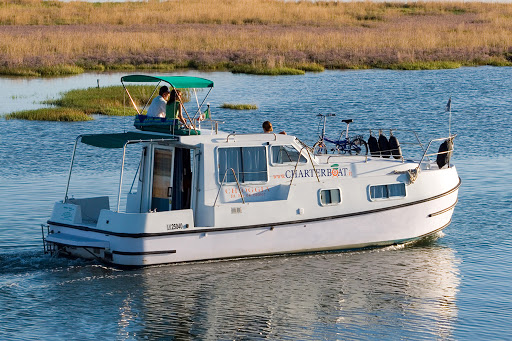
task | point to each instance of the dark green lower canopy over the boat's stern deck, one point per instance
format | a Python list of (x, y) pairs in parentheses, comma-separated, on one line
[(119, 140)]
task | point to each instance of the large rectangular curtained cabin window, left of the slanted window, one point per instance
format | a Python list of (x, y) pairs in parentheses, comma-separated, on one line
[(249, 164)]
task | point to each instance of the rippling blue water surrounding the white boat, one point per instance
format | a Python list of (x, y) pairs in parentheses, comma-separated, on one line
[(456, 286)]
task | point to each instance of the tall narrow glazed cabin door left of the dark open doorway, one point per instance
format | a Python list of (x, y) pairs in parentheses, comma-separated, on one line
[(162, 188)]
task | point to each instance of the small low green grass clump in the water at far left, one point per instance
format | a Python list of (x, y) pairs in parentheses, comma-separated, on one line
[(50, 114)]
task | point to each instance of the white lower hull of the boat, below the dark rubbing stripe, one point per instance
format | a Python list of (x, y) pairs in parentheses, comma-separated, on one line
[(386, 226)]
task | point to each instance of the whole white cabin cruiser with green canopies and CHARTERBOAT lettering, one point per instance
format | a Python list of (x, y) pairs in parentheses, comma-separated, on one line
[(202, 194)]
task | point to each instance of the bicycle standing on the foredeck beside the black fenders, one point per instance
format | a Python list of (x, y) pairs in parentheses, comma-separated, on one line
[(356, 145)]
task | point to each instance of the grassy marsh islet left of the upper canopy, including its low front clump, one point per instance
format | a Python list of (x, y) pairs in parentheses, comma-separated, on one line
[(79, 105)]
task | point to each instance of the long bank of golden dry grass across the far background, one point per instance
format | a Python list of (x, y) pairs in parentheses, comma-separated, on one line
[(250, 36)]
